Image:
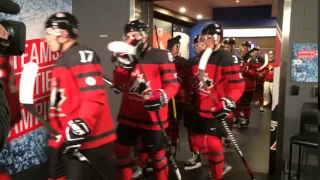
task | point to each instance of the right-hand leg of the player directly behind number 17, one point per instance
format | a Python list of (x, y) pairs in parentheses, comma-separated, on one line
[(154, 144)]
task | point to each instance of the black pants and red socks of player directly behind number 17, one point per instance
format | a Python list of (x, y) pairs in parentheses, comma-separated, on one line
[(152, 142)]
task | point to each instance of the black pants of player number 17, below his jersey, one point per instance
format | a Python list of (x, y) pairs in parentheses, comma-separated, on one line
[(101, 158)]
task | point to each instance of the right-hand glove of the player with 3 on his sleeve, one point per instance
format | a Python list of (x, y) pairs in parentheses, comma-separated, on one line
[(224, 108)]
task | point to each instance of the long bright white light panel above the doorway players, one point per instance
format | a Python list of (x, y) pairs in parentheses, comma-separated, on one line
[(257, 32)]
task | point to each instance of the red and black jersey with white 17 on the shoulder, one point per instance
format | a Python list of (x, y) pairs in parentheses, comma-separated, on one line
[(77, 91)]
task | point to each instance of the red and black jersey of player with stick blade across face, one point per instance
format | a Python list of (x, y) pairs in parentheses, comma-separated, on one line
[(160, 72)]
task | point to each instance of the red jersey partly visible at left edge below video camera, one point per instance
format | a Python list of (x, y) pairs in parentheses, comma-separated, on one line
[(10, 88)]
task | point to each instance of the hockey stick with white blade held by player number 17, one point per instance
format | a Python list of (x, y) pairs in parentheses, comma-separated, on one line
[(27, 81)]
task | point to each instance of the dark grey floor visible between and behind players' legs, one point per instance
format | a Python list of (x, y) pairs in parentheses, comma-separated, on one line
[(254, 144)]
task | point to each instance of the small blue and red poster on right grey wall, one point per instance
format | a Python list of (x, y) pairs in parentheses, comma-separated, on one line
[(304, 67)]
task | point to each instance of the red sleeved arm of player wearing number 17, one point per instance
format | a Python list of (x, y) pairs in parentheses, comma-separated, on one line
[(88, 77)]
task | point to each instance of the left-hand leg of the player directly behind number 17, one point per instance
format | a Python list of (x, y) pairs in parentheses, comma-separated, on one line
[(126, 137)]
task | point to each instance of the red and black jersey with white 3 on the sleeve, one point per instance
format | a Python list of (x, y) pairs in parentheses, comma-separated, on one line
[(223, 79)]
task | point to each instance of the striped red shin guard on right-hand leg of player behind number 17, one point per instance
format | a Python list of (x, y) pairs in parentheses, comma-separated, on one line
[(160, 165)]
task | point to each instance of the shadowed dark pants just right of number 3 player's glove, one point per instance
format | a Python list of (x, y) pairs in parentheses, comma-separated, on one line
[(243, 106)]
